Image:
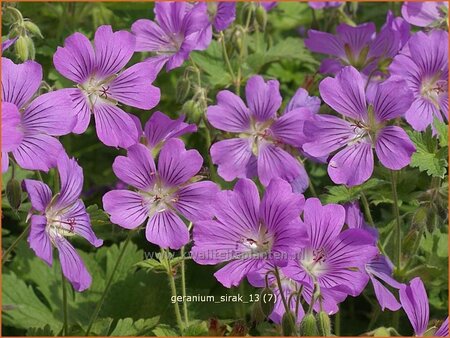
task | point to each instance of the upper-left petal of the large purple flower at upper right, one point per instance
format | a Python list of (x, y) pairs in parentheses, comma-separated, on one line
[(345, 93)]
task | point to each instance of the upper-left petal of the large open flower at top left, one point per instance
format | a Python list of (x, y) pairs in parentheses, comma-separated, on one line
[(75, 60)]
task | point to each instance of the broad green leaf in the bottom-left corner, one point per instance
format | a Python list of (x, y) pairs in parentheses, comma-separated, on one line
[(22, 308)]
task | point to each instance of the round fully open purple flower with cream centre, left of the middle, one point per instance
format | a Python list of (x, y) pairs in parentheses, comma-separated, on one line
[(161, 194)]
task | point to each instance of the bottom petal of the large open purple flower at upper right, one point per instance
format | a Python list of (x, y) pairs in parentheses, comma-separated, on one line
[(353, 165)]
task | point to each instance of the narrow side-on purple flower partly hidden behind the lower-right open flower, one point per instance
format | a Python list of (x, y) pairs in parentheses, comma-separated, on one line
[(379, 268)]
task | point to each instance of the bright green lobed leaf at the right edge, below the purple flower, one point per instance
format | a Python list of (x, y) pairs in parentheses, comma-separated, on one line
[(428, 157)]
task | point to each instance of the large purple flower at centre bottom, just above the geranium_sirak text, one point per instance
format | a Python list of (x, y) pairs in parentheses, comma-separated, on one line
[(247, 233)]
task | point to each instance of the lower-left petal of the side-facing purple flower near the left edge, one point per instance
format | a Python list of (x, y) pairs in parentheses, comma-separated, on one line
[(39, 240)]
